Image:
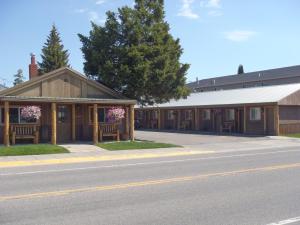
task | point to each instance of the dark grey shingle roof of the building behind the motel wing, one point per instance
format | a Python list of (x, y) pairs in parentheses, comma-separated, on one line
[(262, 75)]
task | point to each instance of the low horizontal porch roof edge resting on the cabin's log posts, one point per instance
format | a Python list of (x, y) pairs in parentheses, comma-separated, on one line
[(67, 100)]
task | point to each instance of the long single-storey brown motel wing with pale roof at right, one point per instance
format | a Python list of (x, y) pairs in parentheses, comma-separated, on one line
[(255, 110)]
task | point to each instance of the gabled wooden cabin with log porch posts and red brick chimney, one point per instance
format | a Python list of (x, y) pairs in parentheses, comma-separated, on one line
[(73, 107)]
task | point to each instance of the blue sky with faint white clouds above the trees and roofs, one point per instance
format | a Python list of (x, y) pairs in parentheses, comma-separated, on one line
[(216, 35)]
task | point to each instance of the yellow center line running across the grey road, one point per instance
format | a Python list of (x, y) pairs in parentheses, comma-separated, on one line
[(146, 183)]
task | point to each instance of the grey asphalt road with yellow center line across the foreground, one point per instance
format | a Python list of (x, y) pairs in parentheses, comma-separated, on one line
[(236, 188)]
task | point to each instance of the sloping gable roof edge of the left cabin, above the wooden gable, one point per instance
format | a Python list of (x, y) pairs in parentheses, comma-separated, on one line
[(50, 75)]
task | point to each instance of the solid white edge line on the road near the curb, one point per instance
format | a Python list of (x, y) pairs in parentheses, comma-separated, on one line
[(147, 163)]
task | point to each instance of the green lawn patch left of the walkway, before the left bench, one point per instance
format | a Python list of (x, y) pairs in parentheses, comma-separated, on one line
[(30, 149)]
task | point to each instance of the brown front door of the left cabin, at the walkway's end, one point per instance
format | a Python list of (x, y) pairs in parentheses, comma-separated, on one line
[(63, 121)]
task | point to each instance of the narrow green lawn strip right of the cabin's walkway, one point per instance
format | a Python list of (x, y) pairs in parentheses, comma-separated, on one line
[(127, 145)]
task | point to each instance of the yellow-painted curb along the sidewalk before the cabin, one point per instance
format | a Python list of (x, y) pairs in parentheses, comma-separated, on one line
[(99, 158)]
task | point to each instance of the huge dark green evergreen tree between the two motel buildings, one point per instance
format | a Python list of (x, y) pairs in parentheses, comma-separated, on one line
[(135, 54)]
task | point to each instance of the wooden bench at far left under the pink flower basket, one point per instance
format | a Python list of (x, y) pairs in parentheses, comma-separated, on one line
[(24, 131)]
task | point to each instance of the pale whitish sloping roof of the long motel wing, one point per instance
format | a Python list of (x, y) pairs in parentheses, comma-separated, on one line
[(255, 95)]
